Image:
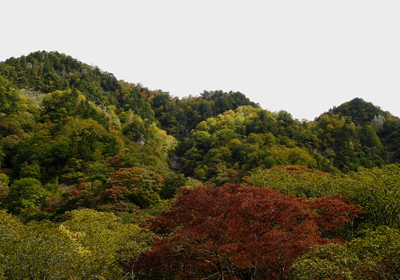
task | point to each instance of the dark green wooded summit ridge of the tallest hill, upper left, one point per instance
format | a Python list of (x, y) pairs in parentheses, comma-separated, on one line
[(48, 71)]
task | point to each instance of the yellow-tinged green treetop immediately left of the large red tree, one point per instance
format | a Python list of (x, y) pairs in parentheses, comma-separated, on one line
[(105, 243)]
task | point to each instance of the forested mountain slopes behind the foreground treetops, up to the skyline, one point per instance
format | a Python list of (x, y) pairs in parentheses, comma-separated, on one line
[(72, 135)]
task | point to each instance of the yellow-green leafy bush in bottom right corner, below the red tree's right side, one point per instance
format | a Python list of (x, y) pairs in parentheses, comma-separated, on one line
[(374, 256)]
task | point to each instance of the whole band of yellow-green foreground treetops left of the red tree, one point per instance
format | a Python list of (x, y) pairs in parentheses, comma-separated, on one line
[(90, 245)]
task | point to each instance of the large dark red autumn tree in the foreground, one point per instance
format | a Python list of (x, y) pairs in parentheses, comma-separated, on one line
[(238, 232)]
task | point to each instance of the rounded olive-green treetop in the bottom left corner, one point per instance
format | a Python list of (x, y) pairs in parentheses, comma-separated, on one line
[(39, 251)]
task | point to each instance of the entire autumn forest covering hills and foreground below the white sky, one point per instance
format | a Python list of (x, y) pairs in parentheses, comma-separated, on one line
[(105, 179)]
